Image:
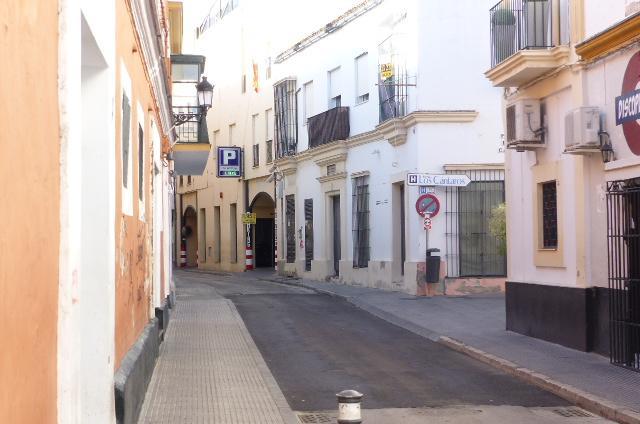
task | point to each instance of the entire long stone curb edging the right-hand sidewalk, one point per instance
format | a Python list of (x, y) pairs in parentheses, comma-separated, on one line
[(587, 401)]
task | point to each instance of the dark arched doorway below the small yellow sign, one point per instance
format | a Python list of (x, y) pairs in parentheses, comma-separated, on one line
[(263, 233)]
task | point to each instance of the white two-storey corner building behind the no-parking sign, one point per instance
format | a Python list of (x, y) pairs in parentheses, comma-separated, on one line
[(364, 99)]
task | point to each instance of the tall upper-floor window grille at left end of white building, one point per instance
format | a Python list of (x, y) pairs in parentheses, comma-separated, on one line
[(286, 118)]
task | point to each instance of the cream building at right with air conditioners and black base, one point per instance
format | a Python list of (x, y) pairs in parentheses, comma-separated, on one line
[(572, 168)]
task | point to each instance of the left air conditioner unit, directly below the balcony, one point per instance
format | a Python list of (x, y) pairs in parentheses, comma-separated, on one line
[(524, 131)]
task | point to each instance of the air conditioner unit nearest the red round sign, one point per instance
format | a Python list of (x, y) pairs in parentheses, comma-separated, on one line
[(581, 127)]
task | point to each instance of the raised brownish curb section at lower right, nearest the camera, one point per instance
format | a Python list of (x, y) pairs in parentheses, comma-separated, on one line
[(572, 394)]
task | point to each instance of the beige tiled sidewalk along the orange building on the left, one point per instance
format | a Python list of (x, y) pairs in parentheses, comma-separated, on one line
[(210, 371)]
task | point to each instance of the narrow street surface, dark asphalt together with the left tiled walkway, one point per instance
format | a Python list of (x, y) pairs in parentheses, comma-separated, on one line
[(314, 346)]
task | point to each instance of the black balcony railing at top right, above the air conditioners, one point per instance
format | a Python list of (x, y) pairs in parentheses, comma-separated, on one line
[(519, 25)]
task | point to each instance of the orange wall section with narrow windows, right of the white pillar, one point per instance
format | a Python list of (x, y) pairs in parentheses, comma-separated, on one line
[(133, 236)]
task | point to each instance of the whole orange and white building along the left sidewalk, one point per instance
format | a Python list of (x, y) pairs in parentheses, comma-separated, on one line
[(85, 275)]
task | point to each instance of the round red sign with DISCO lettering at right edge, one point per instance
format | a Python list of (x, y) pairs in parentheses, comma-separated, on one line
[(628, 104)]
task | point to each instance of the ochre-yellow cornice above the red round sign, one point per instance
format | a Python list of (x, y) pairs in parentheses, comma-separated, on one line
[(611, 39)]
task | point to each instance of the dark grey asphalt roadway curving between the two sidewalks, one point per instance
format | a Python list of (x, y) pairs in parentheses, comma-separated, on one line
[(316, 345)]
